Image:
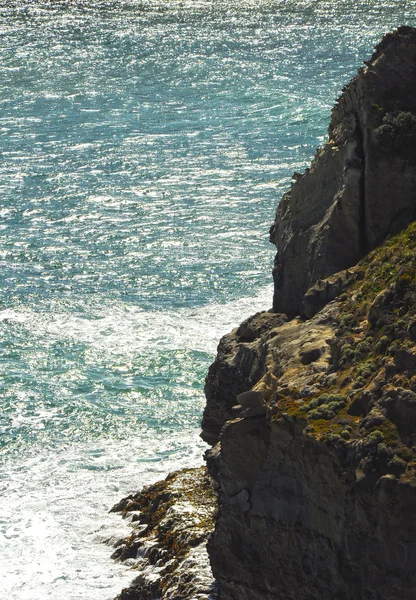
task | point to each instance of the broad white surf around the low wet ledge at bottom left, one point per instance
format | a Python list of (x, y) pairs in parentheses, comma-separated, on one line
[(54, 519)]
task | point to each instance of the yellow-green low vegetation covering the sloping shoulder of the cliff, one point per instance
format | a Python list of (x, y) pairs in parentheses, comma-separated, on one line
[(369, 405)]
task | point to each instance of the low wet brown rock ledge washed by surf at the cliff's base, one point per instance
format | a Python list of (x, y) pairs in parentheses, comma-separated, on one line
[(171, 521)]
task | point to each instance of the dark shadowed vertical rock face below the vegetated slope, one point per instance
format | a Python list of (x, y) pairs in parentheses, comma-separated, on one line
[(307, 530)]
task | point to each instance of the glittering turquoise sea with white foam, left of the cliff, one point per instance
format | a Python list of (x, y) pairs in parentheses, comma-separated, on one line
[(144, 146)]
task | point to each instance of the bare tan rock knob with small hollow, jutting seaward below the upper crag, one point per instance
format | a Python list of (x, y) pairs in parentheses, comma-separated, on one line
[(283, 347)]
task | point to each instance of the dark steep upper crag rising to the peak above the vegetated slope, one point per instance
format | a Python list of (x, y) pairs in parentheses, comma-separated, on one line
[(361, 185)]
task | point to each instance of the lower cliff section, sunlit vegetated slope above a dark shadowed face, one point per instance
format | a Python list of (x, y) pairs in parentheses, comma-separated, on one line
[(317, 495)]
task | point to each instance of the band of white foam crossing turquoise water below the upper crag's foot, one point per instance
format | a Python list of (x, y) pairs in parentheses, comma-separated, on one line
[(127, 330)]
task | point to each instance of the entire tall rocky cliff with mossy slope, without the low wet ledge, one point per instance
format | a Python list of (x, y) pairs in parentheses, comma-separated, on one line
[(317, 476)]
